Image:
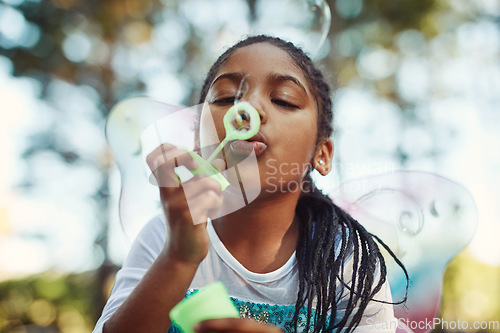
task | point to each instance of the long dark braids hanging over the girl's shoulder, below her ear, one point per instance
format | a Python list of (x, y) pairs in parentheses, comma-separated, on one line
[(322, 264)]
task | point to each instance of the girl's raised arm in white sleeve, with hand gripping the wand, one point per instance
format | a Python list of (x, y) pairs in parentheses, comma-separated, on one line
[(145, 293)]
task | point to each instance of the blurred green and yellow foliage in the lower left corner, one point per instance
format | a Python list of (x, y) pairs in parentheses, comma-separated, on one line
[(49, 303)]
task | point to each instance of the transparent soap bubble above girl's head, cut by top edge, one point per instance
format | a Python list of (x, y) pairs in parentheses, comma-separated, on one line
[(306, 23)]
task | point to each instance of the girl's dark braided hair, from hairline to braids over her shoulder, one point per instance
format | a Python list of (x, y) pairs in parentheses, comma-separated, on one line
[(328, 236)]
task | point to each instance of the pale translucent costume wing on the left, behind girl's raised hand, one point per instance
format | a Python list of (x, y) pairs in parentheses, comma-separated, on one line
[(125, 124)]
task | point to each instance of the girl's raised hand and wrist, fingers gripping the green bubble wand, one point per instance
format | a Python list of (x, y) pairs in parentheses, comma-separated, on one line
[(186, 207)]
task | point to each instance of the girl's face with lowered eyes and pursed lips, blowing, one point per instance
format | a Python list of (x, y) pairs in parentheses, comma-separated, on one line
[(277, 88)]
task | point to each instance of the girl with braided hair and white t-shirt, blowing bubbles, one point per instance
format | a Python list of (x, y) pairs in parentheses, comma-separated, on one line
[(291, 259)]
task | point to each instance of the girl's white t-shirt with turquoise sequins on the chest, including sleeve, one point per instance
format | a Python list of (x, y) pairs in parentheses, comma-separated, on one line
[(266, 293)]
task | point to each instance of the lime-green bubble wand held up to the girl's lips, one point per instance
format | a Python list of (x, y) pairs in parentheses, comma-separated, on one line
[(241, 122)]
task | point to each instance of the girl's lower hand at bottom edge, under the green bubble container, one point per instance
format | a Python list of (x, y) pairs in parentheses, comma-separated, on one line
[(234, 325)]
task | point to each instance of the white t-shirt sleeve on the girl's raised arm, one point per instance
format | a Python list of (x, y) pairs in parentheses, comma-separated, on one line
[(143, 252)]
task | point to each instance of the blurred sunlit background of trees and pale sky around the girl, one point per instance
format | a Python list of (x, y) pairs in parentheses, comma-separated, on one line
[(417, 86)]
